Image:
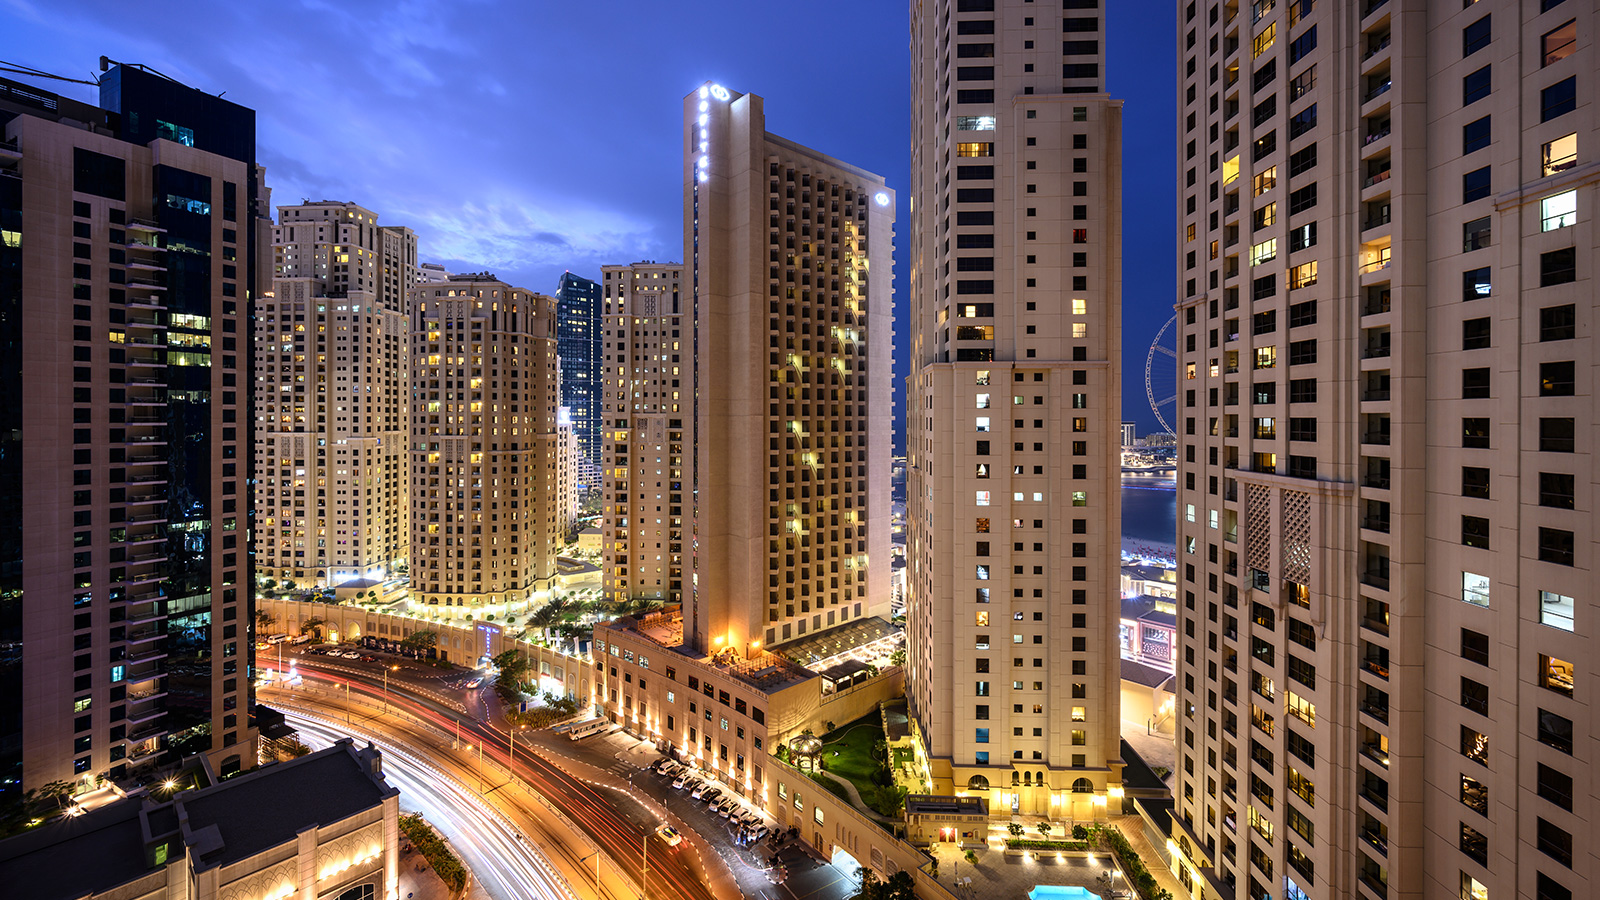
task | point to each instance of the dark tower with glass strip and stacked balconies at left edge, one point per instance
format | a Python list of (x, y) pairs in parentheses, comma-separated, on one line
[(127, 268)]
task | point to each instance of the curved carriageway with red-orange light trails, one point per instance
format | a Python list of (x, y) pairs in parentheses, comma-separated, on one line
[(622, 829)]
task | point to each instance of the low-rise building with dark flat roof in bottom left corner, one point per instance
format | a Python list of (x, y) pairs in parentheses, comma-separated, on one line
[(324, 826)]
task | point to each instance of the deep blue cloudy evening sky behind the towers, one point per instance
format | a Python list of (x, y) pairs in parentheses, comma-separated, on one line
[(535, 137)]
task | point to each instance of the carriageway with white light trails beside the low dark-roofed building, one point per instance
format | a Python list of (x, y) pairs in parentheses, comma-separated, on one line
[(492, 848)]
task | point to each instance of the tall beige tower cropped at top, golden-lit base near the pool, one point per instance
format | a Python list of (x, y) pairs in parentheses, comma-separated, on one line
[(1015, 408)]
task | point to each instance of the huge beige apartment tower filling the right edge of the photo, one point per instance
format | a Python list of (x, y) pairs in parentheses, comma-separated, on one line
[(1386, 529)]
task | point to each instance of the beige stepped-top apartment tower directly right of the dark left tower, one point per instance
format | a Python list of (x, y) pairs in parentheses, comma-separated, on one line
[(332, 388)]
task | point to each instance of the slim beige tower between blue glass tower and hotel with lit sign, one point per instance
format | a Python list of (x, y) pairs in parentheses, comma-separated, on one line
[(647, 412)]
